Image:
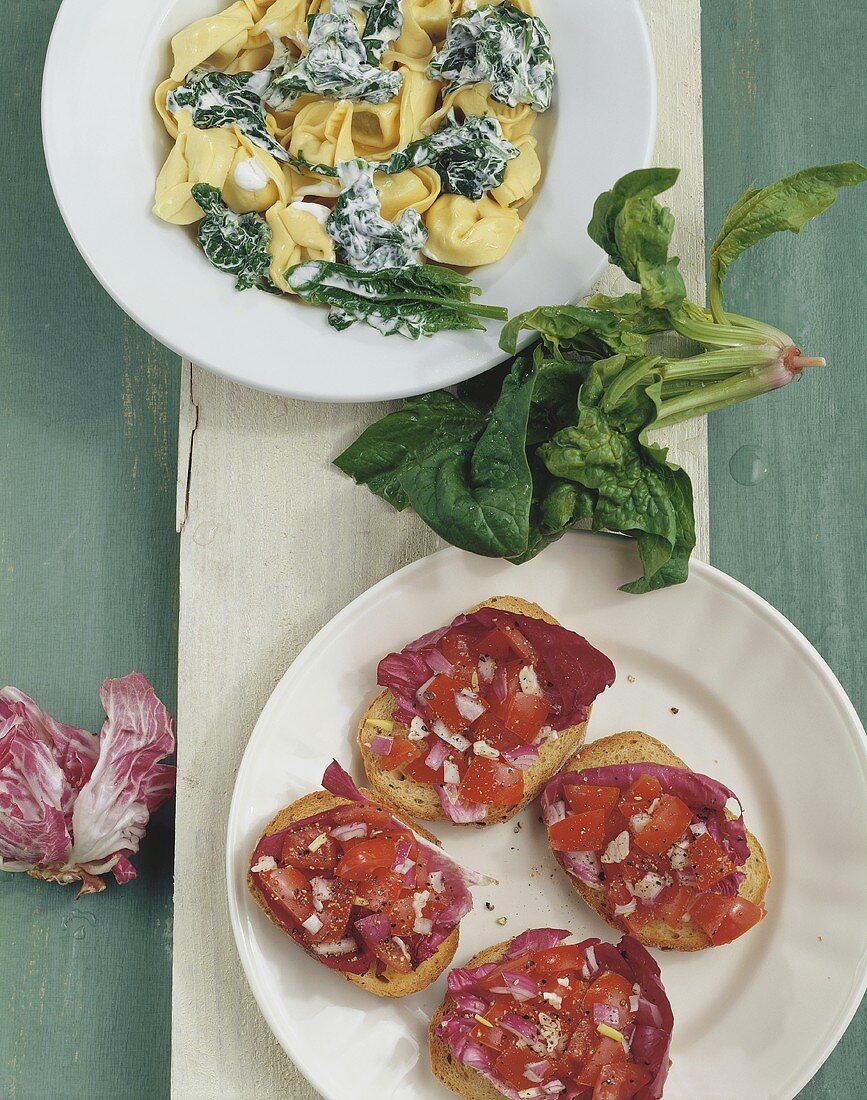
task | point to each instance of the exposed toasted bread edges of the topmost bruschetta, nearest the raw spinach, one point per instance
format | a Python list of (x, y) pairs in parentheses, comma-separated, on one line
[(421, 800)]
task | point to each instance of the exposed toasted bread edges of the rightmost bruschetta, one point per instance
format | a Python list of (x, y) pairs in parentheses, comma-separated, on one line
[(635, 747)]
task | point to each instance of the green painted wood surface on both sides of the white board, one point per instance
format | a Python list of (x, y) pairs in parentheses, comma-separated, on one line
[(89, 558)]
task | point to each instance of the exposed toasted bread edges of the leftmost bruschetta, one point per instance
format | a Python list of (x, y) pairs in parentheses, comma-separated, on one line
[(391, 984)]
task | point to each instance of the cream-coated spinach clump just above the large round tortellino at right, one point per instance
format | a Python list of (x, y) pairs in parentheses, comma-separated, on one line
[(470, 158)]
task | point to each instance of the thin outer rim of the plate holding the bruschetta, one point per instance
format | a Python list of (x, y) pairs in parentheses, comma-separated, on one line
[(711, 575)]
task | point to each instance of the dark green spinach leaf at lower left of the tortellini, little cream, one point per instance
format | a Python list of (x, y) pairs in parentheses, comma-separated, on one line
[(235, 244)]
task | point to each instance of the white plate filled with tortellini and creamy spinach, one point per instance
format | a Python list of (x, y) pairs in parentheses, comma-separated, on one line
[(343, 200)]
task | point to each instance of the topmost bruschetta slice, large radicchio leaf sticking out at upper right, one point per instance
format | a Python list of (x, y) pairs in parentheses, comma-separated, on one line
[(478, 716)]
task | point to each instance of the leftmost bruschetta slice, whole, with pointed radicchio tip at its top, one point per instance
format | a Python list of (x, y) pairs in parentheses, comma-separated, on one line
[(359, 888)]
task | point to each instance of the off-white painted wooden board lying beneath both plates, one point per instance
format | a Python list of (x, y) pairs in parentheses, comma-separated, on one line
[(275, 543)]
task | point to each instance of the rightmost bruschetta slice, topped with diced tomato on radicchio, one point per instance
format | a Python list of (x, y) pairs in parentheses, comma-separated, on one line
[(656, 850)]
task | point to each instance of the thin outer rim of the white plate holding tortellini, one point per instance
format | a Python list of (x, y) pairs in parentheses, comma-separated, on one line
[(231, 373)]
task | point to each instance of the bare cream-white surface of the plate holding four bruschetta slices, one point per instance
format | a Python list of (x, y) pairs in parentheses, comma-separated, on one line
[(710, 670)]
